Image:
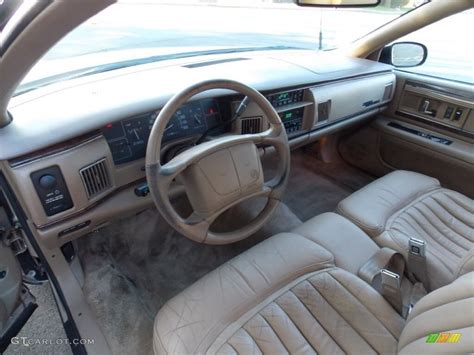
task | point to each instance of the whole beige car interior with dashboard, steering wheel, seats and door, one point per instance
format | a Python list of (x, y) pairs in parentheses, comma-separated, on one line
[(250, 202)]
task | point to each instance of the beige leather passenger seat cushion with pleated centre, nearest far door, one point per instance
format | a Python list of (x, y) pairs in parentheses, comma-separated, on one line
[(406, 204)]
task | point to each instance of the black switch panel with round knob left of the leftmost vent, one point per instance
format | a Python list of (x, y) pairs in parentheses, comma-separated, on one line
[(52, 190)]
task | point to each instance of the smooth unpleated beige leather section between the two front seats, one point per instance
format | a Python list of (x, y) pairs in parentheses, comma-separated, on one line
[(349, 244)]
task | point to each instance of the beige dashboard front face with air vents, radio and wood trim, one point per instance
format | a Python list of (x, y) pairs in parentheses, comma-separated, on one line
[(76, 186)]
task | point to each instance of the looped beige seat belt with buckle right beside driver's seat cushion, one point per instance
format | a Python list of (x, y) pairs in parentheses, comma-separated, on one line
[(384, 271)]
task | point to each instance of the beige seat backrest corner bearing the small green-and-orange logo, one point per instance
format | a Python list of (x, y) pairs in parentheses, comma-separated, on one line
[(442, 321)]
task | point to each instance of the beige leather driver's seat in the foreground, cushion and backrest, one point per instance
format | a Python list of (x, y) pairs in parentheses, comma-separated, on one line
[(286, 296)]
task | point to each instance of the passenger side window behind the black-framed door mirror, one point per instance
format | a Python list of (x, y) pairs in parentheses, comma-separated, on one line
[(450, 49)]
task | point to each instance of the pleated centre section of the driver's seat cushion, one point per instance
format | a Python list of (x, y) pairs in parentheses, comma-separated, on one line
[(331, 312)]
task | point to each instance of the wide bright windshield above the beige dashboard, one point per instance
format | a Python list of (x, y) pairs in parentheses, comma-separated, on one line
[(136, 32)]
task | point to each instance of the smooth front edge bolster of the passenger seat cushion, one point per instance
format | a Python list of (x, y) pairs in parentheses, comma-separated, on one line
[(371, 206)]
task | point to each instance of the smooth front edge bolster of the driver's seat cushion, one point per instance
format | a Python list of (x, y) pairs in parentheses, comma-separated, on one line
[(191, 321)]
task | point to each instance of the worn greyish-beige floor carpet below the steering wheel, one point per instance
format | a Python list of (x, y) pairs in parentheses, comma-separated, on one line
[(134, 265)]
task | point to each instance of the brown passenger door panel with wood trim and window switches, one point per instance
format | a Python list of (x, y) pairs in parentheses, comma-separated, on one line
[(428, 128)]
